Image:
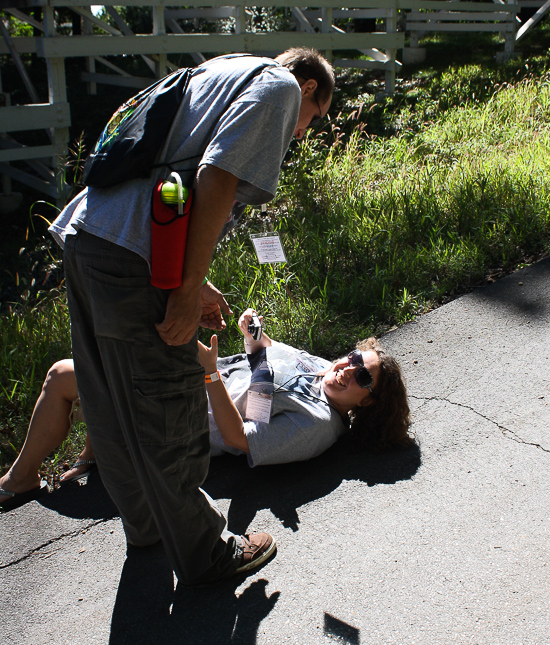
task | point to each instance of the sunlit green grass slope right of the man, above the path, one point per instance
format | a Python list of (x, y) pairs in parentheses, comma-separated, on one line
[(381, 229)]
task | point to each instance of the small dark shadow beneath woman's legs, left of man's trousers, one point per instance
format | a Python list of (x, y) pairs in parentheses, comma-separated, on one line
[(82, 500)]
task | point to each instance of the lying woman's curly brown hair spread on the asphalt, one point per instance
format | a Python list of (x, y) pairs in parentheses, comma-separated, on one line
[(384, 423)]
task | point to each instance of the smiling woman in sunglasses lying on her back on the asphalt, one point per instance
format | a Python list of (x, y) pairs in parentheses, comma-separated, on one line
[(276, 404)]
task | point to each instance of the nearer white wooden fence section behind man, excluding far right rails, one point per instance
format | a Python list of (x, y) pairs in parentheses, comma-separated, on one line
[(168, 37)]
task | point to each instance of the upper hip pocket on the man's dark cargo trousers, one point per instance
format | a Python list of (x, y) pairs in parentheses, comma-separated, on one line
[(122, 308)]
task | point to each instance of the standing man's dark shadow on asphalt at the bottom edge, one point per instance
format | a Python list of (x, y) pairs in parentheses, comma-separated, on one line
[(148, 609)]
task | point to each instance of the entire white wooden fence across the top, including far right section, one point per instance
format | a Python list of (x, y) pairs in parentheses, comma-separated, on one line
[(327, 26)]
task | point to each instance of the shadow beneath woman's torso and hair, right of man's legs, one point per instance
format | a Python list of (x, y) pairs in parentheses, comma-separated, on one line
[(284, 488)]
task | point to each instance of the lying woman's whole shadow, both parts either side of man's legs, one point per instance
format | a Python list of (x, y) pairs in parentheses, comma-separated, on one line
[(282, 489)]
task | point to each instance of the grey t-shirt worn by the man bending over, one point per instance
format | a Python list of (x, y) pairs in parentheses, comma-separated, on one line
[(248, 137)]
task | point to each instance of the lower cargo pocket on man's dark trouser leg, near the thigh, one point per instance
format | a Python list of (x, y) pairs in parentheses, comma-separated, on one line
[(171, 408)]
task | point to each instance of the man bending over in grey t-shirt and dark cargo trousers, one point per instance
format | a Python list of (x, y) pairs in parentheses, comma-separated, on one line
[(135, 346)]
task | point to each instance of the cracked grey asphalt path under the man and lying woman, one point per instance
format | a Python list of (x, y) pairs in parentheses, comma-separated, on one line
[(445, 543)]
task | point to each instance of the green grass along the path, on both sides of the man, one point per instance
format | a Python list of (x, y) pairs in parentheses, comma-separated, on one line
[(394, 208)]
